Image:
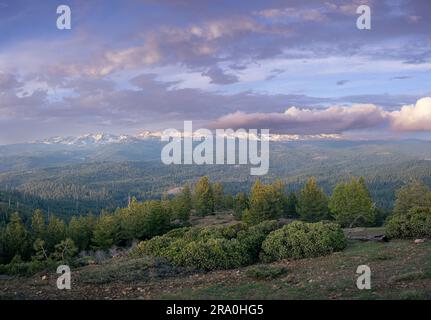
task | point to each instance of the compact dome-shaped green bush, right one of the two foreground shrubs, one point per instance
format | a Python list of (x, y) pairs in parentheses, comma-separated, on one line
[(303, 240)]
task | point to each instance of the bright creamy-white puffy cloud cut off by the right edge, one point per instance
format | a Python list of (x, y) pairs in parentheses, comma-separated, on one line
[(413, 117)]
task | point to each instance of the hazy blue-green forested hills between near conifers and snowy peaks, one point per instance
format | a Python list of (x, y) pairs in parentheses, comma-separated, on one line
[(75, 180)]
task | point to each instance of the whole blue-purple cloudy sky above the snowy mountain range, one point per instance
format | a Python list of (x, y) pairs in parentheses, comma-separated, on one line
[(295, 67)]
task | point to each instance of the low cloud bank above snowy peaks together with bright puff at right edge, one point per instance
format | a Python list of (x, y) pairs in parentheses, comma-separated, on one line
[(334, 119)]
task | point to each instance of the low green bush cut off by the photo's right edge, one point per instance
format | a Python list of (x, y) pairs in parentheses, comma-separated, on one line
[(415, 224)]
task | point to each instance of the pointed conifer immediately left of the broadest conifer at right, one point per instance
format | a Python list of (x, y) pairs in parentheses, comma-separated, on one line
[(312, 202)]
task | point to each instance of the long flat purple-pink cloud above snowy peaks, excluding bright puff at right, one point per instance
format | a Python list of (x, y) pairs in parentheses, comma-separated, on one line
[(334, 119)]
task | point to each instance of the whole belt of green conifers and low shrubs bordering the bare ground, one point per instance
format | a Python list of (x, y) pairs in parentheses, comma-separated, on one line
[(263, 230)]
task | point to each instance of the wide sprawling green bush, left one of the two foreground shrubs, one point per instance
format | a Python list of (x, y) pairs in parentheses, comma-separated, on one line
[(209, 248)]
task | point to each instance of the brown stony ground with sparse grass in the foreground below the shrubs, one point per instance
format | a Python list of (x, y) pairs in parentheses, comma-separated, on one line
[(400, 270)]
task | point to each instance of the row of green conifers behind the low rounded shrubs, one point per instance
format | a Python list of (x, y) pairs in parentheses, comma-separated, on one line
[(52, 238)]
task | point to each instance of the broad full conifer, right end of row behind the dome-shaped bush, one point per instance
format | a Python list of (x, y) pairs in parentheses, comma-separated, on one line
[(351, 204)]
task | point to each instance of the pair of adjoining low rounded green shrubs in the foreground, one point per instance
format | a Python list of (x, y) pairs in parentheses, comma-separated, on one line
[(235, 246)]
